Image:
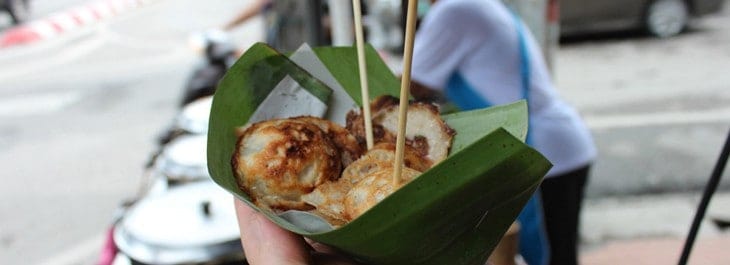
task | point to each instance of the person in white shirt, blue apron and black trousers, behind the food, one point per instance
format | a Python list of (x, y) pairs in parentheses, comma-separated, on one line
[(476, 54)]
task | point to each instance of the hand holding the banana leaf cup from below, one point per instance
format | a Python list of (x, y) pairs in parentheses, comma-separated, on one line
[(266, 243)]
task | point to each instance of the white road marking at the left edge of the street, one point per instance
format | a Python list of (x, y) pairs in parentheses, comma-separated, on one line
[(31, 104)]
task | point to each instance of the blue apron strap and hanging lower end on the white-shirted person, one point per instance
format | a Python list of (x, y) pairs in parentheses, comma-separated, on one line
[(533, 244)]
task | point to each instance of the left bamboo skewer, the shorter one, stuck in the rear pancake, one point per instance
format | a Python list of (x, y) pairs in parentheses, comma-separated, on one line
[(365, 90)]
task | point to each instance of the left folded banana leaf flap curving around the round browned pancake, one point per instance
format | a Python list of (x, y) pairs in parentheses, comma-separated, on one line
[(239, 93)]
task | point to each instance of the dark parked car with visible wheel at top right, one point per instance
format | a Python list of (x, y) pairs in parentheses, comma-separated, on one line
[(662, 18)]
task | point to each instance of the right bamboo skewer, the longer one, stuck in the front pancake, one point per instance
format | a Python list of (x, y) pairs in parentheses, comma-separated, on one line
[(404, 89)]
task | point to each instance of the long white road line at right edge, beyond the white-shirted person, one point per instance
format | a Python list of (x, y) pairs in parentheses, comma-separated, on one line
[(721, 115)]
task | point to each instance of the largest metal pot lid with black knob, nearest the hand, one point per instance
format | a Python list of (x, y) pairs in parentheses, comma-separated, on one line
[(189, 216)]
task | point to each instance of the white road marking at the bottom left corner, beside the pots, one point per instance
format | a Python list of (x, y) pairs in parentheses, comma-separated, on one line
[(77, 253)]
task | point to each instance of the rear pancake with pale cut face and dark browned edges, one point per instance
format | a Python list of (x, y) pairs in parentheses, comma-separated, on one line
[(426, 132)]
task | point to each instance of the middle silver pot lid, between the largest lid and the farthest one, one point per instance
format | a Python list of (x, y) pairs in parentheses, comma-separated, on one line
[(185, 158)]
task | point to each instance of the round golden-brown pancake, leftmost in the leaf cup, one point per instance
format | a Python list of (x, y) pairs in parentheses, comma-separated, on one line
[(278, 161)]
